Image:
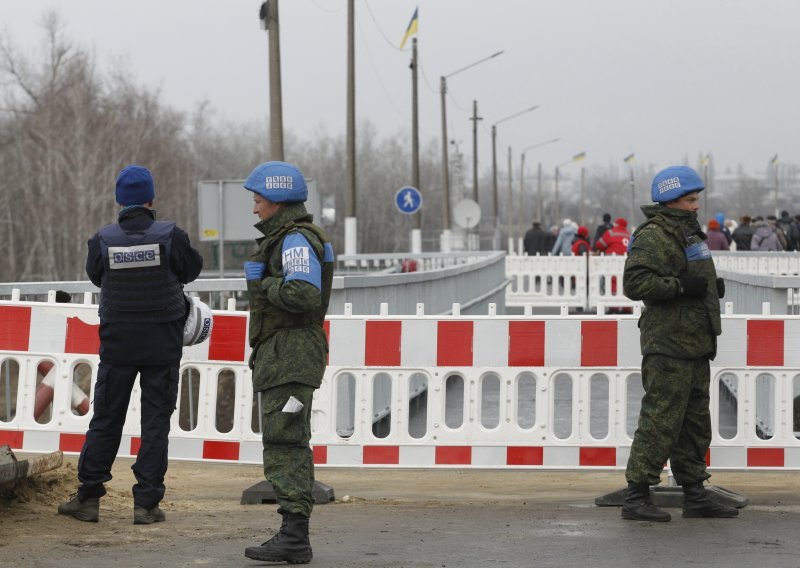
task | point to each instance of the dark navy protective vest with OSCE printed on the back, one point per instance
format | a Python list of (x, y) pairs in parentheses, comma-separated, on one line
[(138, 283)]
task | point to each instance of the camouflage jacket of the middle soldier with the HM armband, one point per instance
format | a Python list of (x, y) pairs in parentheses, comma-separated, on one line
[(286, 317)]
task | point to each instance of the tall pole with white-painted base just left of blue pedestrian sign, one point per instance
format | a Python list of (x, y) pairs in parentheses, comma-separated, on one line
[(351, 228)]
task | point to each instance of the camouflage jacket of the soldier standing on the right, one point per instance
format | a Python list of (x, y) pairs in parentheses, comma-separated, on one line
[(667, 245)]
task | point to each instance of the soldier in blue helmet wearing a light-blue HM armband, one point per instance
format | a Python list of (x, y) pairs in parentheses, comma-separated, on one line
[(289, 285)]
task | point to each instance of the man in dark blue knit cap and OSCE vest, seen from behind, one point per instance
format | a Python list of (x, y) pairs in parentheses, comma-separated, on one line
[(140, 266)]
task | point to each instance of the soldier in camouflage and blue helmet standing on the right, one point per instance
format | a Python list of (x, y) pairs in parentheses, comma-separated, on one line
[(670, 268)]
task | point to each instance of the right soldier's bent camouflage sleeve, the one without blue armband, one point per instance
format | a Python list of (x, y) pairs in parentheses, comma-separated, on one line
[(647, 274)]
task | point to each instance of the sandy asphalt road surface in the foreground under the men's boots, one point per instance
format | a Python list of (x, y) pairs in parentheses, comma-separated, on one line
[(403, 518)]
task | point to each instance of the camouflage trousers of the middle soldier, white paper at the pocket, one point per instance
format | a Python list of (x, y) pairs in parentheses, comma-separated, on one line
[(288, 459)]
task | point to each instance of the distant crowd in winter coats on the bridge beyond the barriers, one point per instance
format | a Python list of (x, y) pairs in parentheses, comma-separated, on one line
[(758, 233)]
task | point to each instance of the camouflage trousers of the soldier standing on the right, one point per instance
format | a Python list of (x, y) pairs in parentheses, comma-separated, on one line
[(674, 423)]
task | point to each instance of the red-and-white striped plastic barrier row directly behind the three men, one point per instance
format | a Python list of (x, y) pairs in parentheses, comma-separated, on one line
[(422, 391)]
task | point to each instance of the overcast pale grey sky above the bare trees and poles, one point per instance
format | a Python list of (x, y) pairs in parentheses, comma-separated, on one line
[(665, 80)]
